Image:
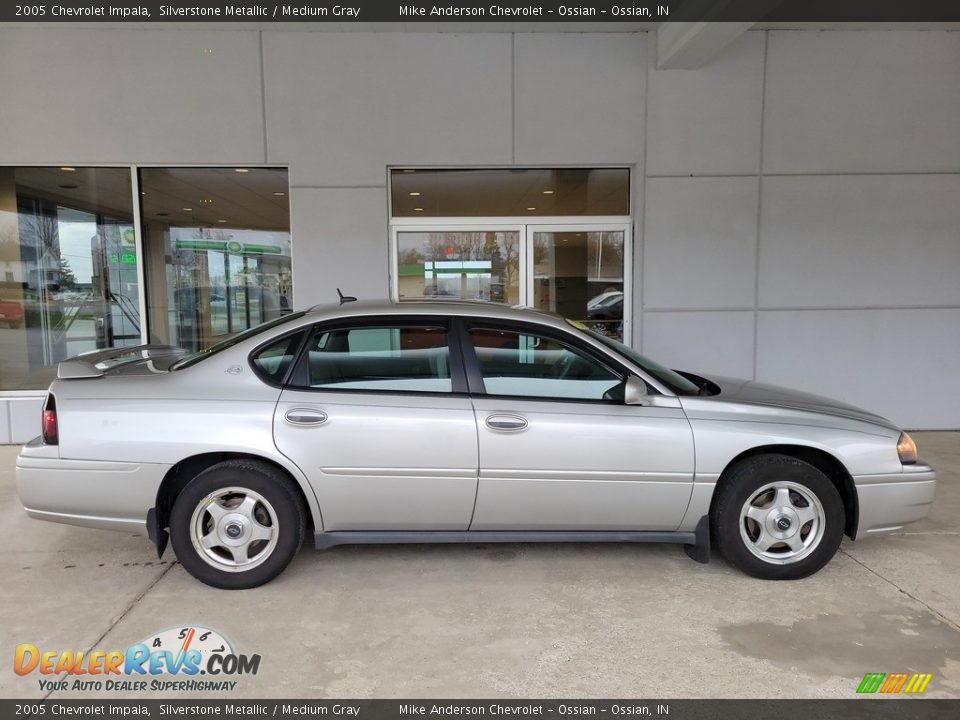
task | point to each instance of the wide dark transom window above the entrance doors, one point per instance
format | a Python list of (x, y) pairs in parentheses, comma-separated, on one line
[(514, 192)]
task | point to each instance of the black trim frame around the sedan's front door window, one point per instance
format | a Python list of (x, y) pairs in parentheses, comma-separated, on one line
[(475, 374)]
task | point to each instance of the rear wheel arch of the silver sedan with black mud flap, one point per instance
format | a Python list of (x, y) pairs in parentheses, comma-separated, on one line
[(181, 473)]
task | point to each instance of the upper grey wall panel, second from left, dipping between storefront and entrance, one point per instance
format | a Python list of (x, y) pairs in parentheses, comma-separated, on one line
[(341, 107)]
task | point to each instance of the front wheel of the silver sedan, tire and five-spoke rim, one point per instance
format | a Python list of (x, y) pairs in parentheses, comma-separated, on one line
[(777, 518)]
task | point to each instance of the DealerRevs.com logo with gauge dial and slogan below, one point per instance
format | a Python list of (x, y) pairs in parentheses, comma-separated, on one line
[(170, 660)]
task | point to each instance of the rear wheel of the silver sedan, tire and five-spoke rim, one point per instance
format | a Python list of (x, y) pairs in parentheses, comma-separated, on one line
[(237, 524)]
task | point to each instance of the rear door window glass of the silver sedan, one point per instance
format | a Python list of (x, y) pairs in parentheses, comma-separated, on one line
[(393, 359)]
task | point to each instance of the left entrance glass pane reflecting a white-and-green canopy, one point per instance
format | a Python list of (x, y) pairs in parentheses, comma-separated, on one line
[(459, 265)]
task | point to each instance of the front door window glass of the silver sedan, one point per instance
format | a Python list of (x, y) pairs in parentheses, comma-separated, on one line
[(530, 365)]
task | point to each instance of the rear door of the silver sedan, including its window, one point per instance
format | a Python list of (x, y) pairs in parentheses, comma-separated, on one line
[(377, 417)]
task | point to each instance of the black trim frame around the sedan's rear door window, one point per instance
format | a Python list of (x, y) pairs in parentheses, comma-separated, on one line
[(298, 375)]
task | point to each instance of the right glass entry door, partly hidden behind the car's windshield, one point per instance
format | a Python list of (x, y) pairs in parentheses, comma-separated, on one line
[(578, 272)]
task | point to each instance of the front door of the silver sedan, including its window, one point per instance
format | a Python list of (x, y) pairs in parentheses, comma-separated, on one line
[(558, 449)]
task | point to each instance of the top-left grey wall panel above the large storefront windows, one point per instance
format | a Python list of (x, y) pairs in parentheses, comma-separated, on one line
[(77, 95)]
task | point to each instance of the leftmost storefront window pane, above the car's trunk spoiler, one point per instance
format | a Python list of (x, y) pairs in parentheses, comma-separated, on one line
[(68, 268)]
